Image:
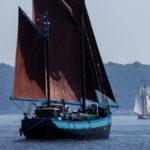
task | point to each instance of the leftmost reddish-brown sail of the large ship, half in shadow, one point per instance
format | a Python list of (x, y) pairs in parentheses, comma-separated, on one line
[(29, 79)]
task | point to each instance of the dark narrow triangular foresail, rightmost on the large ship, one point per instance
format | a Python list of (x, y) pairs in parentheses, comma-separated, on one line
[(104, 85)]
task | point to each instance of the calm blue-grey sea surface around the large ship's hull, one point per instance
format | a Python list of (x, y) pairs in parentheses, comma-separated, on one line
[(127, 133)]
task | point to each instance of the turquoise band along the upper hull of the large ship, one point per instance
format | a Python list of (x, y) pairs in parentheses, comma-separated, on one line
[(78, 125)]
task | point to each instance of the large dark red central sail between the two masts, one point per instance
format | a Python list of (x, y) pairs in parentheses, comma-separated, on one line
[(64, 53)]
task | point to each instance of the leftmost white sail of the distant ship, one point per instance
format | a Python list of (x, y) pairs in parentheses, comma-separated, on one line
[(139, 106)]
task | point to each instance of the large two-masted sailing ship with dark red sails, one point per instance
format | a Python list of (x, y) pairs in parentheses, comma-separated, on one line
[(59, 71)]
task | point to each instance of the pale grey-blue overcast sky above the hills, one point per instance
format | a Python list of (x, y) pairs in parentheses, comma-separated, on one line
[(122, 29)]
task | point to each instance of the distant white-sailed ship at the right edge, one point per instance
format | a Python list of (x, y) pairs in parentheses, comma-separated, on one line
[(142, 103)]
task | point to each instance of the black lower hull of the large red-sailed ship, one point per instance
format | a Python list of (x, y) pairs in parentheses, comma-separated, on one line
[(46, 129)]
